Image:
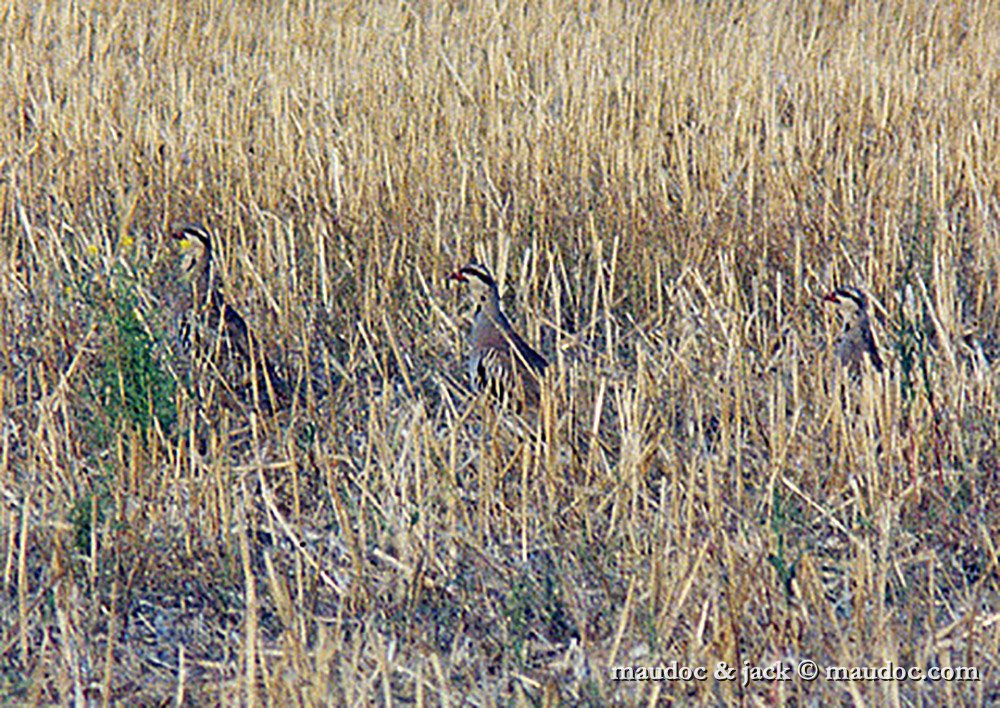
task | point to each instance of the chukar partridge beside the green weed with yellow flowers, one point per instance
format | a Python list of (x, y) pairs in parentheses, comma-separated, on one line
[(214, 327)]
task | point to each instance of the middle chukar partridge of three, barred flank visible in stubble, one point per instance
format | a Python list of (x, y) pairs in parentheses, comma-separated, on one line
[(500, 361)]
